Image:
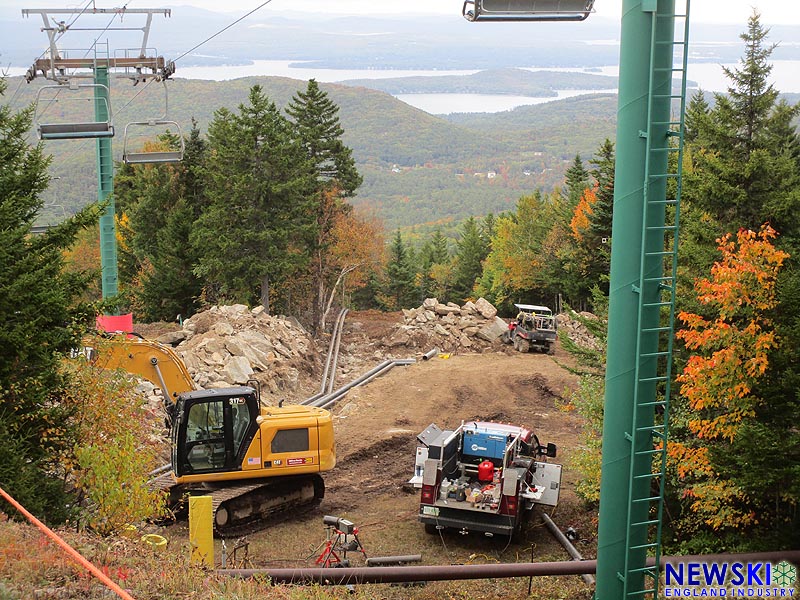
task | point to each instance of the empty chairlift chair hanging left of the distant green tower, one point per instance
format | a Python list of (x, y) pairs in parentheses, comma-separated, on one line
[(74, 130)]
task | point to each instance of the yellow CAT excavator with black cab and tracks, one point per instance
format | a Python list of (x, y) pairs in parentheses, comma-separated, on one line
[(254, 461)]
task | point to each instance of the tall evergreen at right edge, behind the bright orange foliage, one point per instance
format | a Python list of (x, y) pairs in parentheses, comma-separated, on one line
[(744, 173)]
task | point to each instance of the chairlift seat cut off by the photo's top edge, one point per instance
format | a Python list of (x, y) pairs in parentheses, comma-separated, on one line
[(527, 10)]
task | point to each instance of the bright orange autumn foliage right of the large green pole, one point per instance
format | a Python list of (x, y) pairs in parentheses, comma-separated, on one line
[(730, 355)]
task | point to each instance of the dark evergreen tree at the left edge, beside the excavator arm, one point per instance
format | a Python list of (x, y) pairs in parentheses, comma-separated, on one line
[(41, 320)]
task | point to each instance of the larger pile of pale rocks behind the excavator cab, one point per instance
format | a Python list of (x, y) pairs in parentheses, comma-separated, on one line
[(229, 345)]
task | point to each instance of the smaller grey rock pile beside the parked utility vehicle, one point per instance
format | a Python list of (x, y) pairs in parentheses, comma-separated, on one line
[(449, 327)]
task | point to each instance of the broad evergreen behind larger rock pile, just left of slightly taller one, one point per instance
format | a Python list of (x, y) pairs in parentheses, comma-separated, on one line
[(260, 187)]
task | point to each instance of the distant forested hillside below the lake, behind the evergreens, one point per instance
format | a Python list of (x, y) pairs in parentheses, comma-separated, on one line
[(417, 167)]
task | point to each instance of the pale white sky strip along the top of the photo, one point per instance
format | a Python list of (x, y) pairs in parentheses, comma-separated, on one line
[(784, 12)]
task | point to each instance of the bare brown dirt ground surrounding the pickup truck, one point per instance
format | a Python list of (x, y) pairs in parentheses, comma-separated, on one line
[(376, 427)]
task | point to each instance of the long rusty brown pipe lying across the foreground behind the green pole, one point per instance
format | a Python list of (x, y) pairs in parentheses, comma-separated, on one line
[(352, 575)]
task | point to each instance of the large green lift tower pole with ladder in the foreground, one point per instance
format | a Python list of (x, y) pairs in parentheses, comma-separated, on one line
[(641, 298)]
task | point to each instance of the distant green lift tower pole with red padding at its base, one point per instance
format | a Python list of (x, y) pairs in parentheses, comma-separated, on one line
[(105, 187)]
